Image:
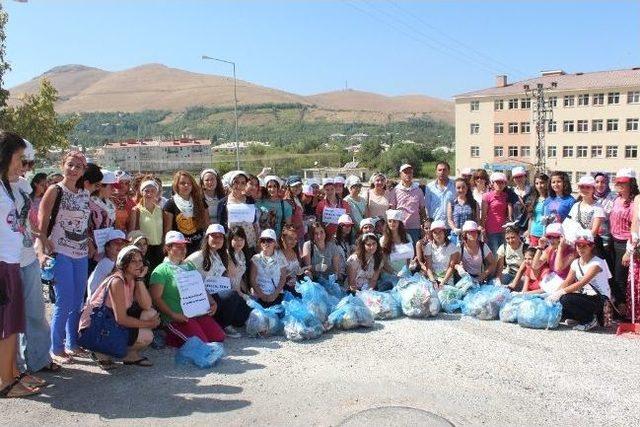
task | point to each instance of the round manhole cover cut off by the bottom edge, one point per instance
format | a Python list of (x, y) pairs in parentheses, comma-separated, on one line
[(397, 416)]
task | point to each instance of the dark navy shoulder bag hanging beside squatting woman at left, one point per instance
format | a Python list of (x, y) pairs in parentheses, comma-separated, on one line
[(104, 334)]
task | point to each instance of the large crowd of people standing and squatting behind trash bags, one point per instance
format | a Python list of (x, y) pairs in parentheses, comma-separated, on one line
[(112, 242)]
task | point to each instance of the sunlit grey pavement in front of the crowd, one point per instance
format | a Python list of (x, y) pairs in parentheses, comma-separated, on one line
[(467, 371)]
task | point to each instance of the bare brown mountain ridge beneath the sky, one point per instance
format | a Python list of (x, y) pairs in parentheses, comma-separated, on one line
[(158, 87)]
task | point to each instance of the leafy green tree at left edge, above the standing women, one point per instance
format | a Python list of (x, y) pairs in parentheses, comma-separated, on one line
[(36, 119)]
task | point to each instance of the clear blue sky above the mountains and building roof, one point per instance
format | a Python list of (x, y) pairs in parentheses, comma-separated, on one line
[(386, 46)]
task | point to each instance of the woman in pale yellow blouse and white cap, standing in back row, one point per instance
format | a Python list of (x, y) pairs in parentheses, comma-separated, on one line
[(147, 217)]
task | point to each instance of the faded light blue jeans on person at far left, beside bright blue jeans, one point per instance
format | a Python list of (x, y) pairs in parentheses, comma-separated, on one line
[(34, 343)]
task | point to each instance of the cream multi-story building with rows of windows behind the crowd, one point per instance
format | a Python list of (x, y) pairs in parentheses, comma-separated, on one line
[(595, 123)]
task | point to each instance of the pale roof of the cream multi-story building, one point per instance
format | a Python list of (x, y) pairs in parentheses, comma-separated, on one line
[(566, 82)]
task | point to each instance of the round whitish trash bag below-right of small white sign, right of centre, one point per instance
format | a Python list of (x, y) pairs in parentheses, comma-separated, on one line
[(417, 296)]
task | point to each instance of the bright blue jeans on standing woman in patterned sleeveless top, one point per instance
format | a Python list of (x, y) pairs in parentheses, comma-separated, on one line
[(70, 276)]
